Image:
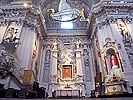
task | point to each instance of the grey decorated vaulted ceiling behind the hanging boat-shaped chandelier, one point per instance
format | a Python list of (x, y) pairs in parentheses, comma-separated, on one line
[(47, 4)]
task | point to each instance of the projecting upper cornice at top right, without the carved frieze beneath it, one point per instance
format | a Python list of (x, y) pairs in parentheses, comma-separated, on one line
[(115, 8)]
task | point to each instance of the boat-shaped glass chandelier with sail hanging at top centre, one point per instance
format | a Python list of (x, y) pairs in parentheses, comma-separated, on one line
[(65, 13)]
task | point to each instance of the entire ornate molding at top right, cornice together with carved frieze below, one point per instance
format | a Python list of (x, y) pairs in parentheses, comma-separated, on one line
[(106, 13)]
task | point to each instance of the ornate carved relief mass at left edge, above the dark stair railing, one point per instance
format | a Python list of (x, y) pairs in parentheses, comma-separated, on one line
[(9, 64)]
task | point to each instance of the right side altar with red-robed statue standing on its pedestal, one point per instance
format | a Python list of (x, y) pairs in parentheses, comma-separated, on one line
[(115, 82)]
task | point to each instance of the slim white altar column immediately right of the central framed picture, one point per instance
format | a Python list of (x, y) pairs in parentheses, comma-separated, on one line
[(79, 62)]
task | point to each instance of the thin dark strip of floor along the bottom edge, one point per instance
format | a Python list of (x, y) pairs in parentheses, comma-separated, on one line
[(118, 98)]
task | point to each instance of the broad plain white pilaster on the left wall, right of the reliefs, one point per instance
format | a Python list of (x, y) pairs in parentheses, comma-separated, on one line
[(24, 51)]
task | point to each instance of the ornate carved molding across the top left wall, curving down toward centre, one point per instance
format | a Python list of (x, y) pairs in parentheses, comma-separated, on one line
[(27, 16)]
